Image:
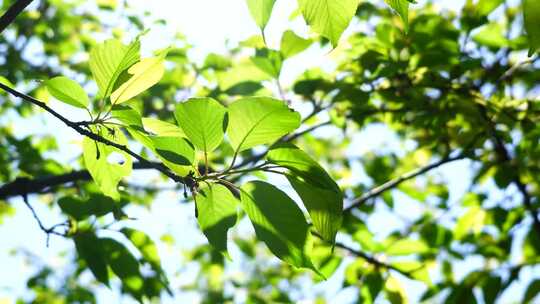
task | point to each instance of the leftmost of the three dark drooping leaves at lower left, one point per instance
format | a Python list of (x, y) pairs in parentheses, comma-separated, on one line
[(90, 250)]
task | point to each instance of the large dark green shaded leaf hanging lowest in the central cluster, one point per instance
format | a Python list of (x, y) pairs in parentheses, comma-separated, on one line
[(278, 222)]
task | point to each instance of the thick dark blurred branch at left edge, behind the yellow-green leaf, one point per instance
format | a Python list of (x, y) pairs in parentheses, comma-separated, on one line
[(25, 186)]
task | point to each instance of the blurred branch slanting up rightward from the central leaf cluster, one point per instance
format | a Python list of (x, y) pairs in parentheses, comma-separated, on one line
[(391, 184)]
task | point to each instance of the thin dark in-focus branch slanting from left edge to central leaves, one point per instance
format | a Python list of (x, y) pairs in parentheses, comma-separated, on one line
[(81, 130)]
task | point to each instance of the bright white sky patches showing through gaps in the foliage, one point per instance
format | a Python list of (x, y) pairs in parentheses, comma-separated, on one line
[(209, 25)]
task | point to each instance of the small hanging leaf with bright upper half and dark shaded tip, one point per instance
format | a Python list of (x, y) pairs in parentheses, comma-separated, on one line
[(217, 213)]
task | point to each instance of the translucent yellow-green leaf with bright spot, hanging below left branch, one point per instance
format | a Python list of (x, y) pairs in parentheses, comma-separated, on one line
[(104, 163)]
